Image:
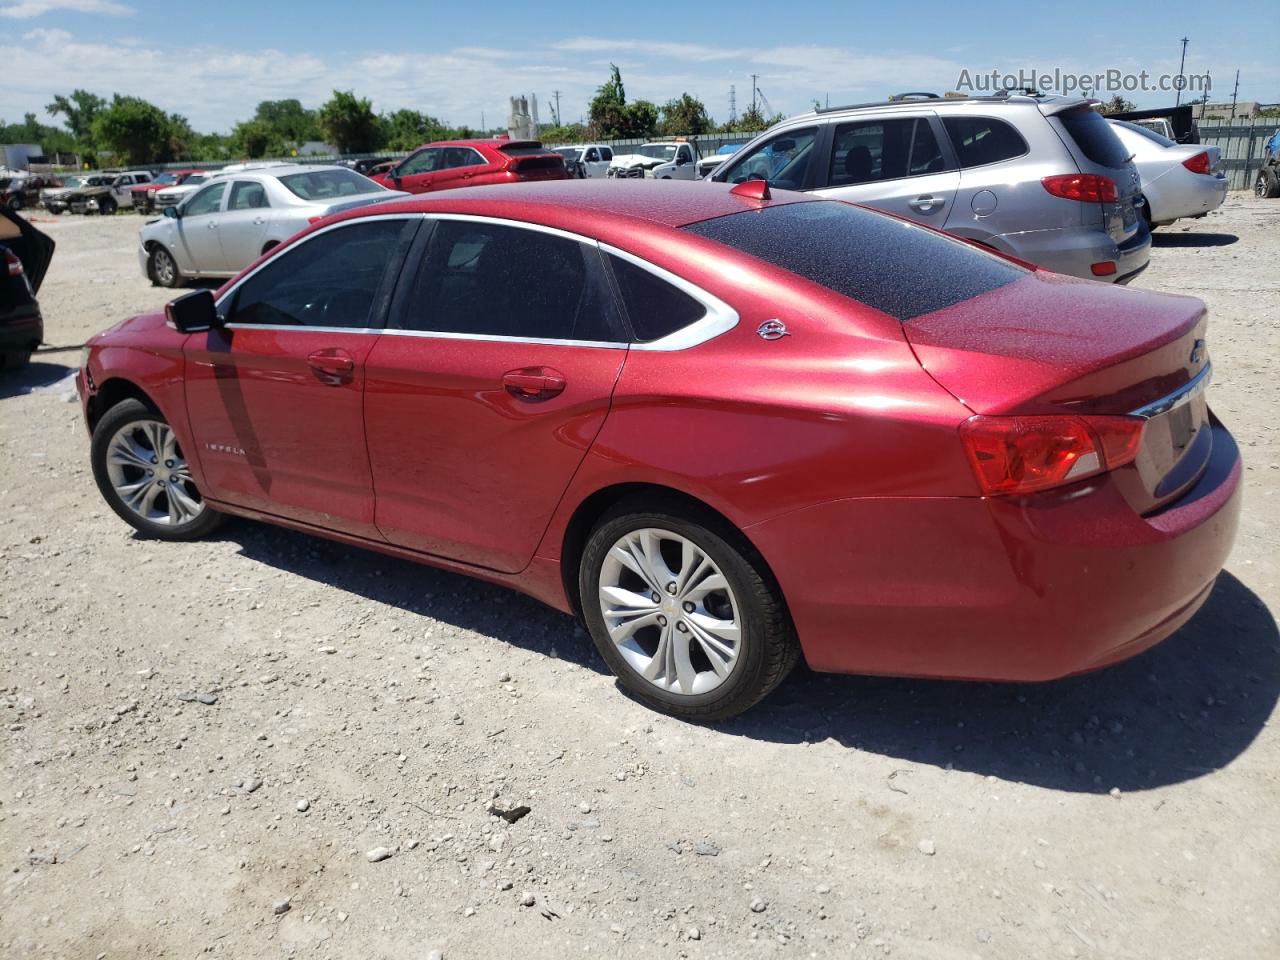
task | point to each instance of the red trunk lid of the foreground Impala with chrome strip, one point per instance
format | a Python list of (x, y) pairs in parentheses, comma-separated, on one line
[(1058, 345)]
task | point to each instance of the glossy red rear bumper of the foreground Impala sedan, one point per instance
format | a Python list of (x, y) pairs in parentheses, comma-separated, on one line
[(1000, 589)]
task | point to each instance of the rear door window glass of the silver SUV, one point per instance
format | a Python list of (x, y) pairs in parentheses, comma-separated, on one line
[(884, 150)]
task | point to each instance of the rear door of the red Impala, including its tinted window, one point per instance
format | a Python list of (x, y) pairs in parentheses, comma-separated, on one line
[(490, 386)]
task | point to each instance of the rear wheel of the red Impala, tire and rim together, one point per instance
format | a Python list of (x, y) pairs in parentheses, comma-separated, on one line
[(684, 611)]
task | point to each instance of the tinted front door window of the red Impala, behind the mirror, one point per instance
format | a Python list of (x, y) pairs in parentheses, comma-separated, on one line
[(328, 281)]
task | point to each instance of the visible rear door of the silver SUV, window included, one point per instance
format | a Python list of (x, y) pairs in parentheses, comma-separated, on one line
[(892, 163)]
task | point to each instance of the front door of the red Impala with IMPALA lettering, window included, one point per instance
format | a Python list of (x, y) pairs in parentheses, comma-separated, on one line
[(276, 395)]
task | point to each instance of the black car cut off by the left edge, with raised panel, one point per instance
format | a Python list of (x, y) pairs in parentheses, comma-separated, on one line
[(25, 255)]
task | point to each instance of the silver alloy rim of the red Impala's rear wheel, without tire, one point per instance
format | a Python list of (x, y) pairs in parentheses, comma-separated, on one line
[(670, 612)]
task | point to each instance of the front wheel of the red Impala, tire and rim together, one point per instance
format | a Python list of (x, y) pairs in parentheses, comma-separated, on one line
[(145, 478)]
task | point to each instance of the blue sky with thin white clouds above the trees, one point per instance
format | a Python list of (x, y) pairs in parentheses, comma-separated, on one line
[(461, 62)]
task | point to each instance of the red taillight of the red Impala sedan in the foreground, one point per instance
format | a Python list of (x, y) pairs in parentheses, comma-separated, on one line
[(1023, 455)]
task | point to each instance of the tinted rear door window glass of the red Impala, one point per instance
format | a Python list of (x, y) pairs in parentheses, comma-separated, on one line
[(497, 281)]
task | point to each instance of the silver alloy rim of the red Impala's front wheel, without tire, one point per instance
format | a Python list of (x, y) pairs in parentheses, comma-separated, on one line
[(150, 476)]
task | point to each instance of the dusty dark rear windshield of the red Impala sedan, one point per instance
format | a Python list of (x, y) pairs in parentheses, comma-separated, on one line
[(894, 267)]
